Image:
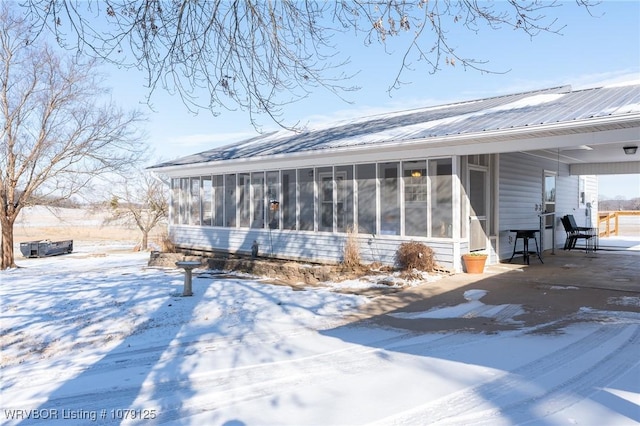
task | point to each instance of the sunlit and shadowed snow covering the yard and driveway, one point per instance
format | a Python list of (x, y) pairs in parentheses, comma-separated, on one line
[(97, 337)]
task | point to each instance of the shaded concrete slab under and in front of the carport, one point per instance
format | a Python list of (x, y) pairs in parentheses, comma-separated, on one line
[(552, 294)]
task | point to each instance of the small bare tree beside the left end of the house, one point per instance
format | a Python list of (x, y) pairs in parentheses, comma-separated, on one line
[(140, 201)]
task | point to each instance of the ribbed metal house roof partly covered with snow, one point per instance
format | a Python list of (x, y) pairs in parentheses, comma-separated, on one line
[(532, 110)]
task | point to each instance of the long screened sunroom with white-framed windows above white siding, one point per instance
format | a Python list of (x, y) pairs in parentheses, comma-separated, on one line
[(306, 212)]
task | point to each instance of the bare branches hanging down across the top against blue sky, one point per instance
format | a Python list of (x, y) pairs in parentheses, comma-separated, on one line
[(260, 55)]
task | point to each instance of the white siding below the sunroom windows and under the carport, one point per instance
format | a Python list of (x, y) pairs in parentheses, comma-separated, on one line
[(520, 180)]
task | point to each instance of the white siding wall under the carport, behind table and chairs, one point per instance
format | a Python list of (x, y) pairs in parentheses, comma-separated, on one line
[(521, 178)]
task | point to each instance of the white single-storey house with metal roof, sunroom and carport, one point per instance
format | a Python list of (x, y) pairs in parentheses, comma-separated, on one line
[(458, 177)]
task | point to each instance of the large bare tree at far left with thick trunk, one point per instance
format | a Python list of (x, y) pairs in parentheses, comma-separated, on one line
[(59, 130)]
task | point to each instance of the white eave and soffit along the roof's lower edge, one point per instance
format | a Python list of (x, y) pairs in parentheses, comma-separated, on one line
[(577, 143)]
